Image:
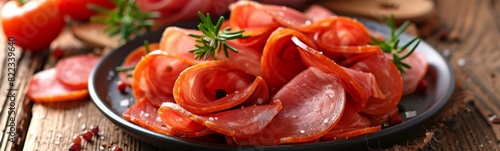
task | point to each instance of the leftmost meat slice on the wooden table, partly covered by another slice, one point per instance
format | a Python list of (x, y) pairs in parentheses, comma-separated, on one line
[(44, 87)]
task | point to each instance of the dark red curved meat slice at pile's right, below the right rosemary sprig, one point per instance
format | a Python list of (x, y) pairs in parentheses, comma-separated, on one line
[(389, 81)]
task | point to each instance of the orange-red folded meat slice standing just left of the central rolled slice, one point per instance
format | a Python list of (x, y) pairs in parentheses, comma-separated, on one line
[(154, 76)]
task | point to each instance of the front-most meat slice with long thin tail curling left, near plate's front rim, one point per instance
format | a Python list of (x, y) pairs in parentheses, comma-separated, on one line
[(241, 122)]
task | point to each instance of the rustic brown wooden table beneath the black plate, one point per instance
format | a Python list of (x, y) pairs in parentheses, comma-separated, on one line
[(463, 125)]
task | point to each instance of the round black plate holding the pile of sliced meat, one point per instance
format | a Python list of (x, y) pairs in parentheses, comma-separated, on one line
[(102, 86)]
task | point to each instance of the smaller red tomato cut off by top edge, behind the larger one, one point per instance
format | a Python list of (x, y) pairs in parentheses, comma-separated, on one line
[(78, 9)]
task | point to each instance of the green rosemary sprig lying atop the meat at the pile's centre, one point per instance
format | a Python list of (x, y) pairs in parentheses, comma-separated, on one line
[(213, 39)]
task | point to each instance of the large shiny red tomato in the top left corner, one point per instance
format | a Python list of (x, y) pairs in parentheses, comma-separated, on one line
[(34, 25)]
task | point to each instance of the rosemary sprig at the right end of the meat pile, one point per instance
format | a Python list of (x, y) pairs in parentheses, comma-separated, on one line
[(392, 45)]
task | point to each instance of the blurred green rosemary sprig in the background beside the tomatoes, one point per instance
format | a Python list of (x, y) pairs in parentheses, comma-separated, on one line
[(126, 20)]
